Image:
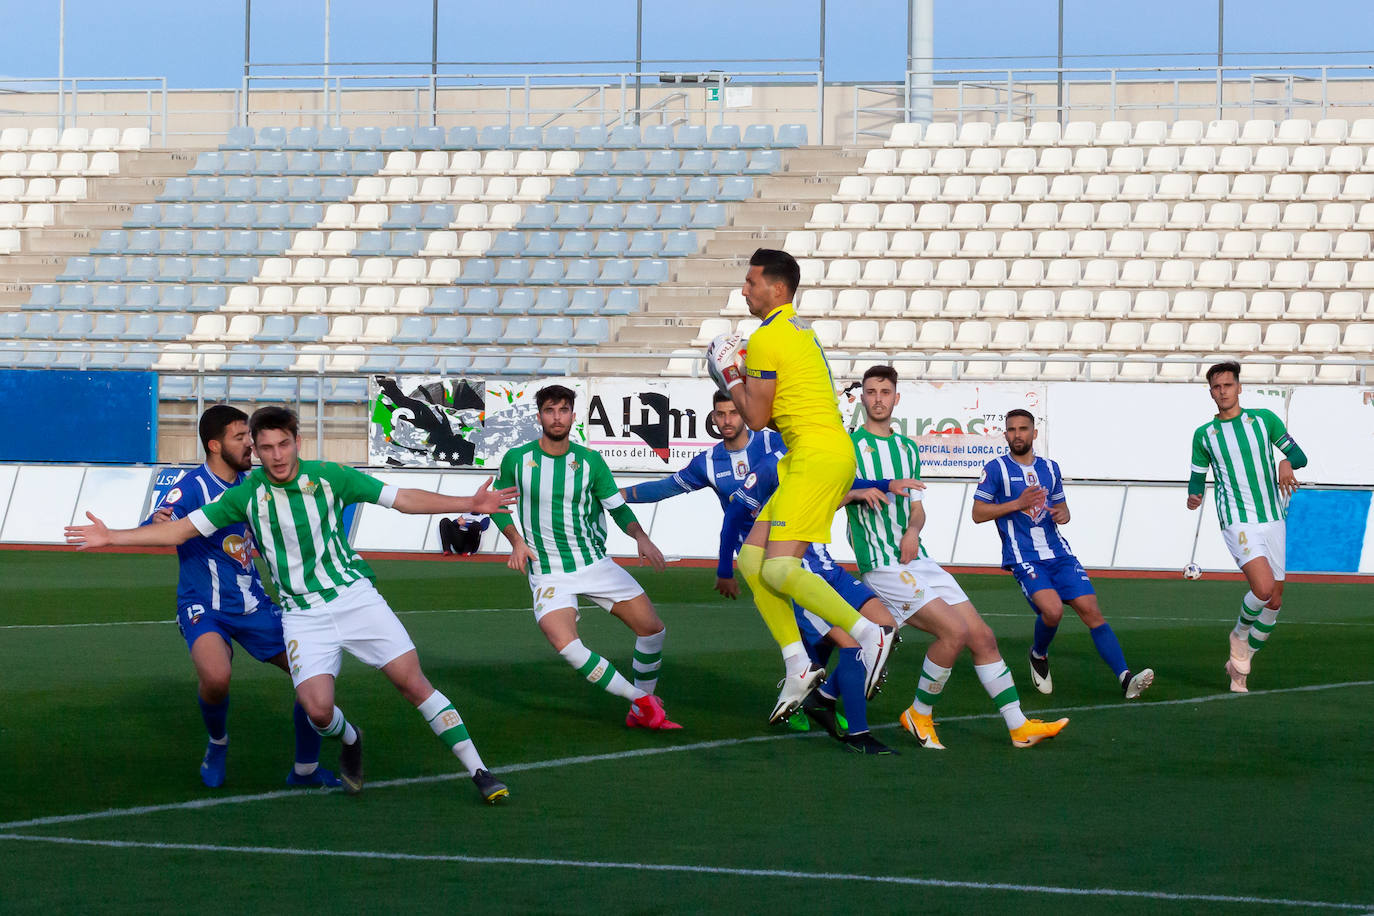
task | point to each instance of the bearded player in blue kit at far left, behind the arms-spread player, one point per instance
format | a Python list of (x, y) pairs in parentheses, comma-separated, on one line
[(221, 598)]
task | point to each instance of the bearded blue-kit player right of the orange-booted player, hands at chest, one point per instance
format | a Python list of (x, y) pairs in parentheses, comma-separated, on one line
[(1024, 495)]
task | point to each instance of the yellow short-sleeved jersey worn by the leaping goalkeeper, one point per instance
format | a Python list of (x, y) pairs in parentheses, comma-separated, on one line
[(806, 410)]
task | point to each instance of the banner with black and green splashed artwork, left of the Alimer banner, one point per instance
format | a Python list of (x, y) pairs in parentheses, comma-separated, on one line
[(425, 421)]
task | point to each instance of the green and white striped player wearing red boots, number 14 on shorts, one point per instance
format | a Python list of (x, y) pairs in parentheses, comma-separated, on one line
[(565, 491)]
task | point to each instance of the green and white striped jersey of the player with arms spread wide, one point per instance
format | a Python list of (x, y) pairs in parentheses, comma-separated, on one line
[(299, 527)]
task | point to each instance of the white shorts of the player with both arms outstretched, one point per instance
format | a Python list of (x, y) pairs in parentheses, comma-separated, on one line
[(358, 620)]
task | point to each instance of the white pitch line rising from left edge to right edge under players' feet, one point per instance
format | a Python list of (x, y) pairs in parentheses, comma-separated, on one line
[(642, 752)]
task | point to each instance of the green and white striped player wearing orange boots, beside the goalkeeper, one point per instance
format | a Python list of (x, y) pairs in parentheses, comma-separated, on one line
[(917, 591)]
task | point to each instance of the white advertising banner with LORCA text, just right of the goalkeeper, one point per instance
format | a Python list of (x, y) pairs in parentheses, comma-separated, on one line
[(957, 425)]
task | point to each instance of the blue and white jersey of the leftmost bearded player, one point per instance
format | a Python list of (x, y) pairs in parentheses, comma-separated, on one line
[(218, 571)]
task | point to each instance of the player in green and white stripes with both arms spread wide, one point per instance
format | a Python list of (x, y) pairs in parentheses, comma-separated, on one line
[(330, 605)]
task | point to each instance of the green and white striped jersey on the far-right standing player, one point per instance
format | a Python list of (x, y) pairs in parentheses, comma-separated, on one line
[(1241, 455)]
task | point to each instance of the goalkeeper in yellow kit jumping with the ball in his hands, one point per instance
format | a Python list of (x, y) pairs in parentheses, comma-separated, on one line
[(784, 381)]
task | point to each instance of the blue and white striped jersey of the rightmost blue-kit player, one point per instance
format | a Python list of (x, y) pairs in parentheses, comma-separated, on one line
[(1030, 535)]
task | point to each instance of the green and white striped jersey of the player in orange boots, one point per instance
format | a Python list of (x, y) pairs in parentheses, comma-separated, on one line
[(876, 535)]
